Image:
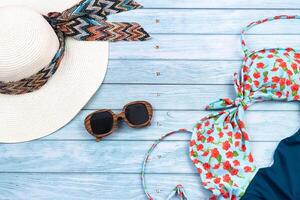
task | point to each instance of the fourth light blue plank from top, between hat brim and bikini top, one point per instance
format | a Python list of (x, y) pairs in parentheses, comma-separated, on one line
[(171, 72)]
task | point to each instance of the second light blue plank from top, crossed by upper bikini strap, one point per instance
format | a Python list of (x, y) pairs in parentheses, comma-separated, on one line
[(185, 21)]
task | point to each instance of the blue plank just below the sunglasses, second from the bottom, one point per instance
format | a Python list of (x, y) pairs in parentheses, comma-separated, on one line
[(108, 156)]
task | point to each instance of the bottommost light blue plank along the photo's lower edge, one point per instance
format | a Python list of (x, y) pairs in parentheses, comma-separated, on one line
[(66, 186)]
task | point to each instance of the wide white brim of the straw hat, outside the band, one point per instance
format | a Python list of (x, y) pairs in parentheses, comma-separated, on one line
[(81, 72)]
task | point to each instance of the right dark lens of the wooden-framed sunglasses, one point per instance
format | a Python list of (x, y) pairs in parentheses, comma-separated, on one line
[(137, 114)]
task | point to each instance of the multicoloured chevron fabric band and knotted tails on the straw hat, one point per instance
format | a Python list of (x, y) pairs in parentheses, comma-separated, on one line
[(85, 21)]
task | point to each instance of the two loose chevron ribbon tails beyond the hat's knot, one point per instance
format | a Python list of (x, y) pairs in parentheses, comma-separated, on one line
[(87, 21)]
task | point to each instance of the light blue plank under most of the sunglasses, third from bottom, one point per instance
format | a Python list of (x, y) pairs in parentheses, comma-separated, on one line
[(166, 121)]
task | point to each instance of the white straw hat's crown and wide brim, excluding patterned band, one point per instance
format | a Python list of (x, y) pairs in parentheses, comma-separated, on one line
[(28, 43)]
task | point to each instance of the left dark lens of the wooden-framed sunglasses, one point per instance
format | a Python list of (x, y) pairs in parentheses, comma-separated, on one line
[(102, 123)]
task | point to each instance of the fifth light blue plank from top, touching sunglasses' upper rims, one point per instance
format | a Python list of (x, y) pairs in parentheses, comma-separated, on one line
[(169, 97)]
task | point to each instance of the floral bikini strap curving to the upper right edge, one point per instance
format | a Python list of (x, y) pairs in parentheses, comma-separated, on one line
[(244, 30)]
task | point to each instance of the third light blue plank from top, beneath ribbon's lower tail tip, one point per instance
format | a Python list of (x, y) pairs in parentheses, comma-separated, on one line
[(199, 47)]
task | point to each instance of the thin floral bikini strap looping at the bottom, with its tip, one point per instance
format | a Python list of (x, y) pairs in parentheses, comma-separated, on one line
[(178, 190)]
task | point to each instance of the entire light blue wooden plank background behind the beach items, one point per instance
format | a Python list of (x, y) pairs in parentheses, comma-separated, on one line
[(189, 62)]
